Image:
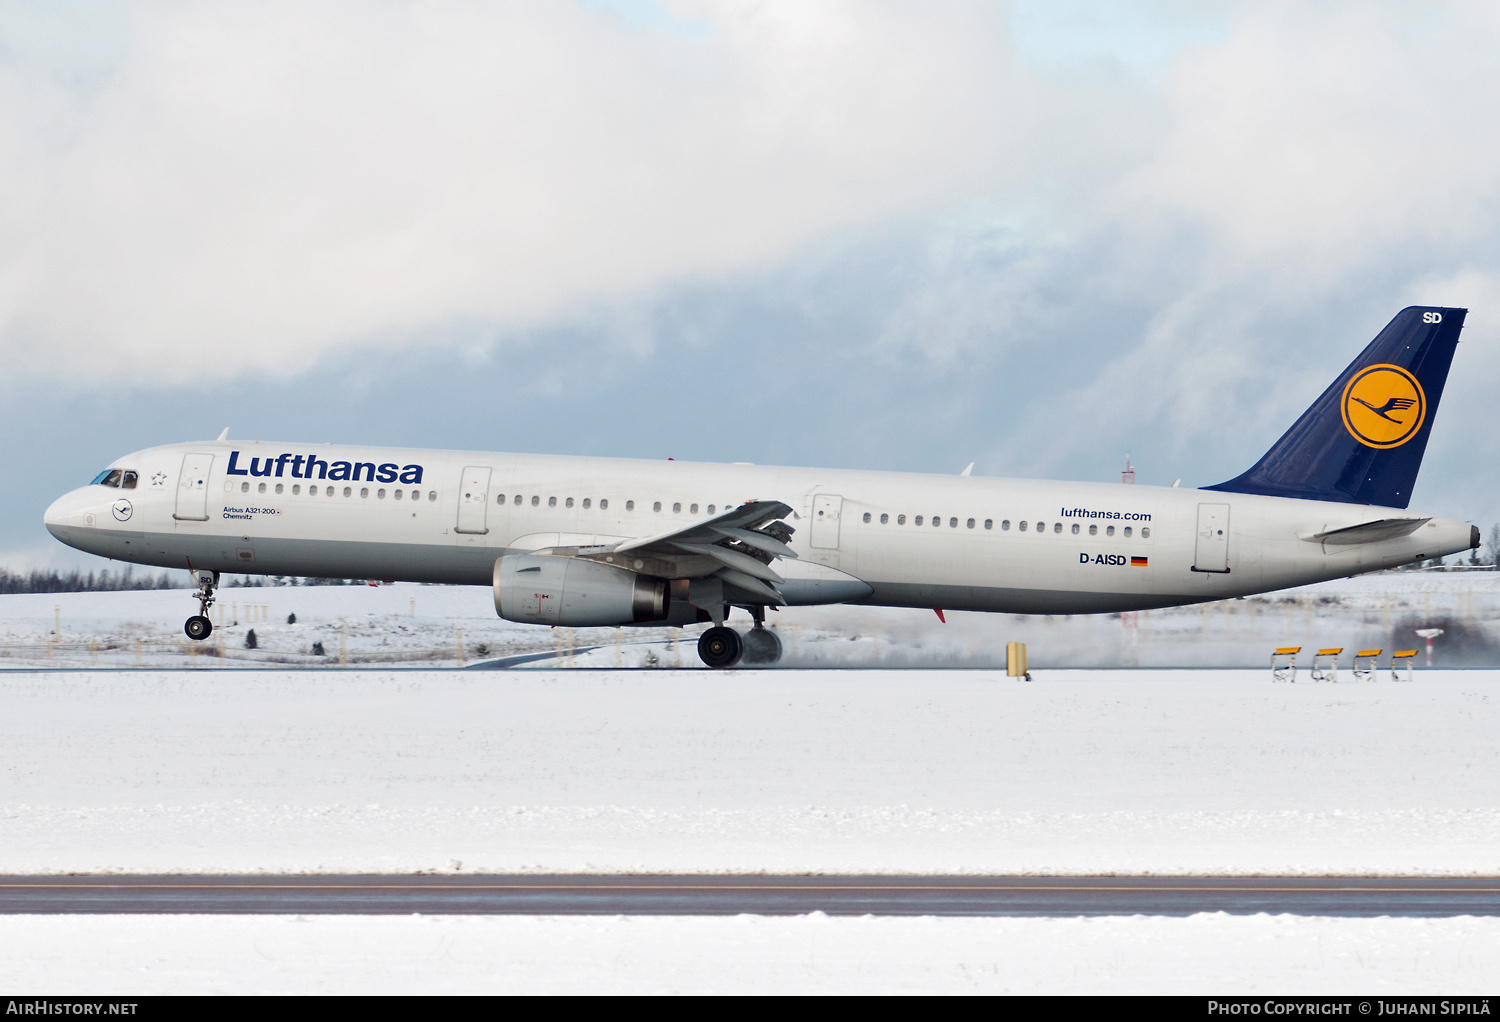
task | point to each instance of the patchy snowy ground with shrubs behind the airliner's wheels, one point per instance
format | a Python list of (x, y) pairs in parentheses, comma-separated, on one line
[(446, 627)]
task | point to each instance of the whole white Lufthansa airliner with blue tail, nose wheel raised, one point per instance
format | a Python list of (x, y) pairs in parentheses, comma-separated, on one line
[(605, 543)]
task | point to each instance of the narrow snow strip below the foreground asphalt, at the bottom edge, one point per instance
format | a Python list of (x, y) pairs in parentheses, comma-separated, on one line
[(1207, 955)]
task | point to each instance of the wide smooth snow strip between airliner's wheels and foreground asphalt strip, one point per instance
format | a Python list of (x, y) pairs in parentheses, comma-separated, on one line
[(1079, 772)]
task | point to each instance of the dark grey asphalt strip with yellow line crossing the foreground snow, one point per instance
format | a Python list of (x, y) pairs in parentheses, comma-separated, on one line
[(719, 895)]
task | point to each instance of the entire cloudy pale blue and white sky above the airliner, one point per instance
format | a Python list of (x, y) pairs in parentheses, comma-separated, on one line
[(907, 236)]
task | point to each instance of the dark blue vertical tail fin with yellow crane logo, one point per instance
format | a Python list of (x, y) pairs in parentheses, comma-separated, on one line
[(1363, 440)]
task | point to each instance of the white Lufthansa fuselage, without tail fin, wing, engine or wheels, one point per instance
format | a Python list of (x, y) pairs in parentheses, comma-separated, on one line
[(899, 540)]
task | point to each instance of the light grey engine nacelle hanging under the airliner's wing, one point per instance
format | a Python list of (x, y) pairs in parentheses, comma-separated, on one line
[(538, 589)]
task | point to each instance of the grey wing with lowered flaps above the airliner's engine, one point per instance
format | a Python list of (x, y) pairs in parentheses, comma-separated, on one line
[(734, 549)]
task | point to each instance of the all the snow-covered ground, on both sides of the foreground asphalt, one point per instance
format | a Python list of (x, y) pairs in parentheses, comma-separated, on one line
[(808, 769)]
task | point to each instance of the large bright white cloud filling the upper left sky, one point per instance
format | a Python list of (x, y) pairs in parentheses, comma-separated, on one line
[(257, 184)]
